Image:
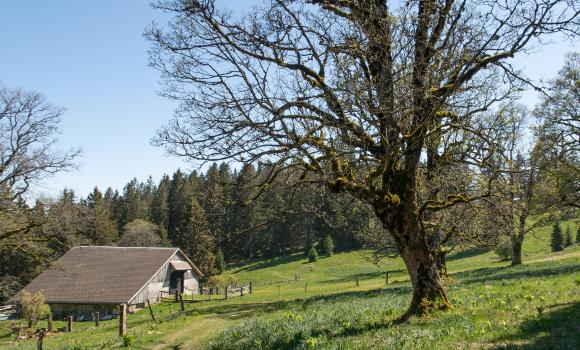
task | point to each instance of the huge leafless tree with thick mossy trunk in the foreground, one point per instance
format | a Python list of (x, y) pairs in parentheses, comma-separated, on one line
[(368, 96)]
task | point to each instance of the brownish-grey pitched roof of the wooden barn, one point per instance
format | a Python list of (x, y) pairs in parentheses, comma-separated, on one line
[(101, 275)]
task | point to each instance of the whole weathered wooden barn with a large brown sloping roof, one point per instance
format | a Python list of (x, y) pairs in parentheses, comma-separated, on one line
[(99, 279)]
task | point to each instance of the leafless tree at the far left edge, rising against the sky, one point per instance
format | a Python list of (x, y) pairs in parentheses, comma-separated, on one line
[(28, 154)]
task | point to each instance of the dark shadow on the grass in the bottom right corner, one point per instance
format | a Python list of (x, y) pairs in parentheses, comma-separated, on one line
[(558, 328)]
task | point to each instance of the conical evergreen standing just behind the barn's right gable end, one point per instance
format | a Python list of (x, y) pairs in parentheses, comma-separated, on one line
[(196, 241)]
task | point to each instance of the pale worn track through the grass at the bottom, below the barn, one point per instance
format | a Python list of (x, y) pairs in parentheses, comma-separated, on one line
[(192, 334)]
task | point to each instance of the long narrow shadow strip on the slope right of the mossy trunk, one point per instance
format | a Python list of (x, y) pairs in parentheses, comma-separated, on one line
[(506, 273)]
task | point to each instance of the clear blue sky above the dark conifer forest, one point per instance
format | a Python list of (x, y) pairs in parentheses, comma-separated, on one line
[(91, 58)]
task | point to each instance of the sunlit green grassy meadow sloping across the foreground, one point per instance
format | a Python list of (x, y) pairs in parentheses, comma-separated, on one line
[(533, 306)]
